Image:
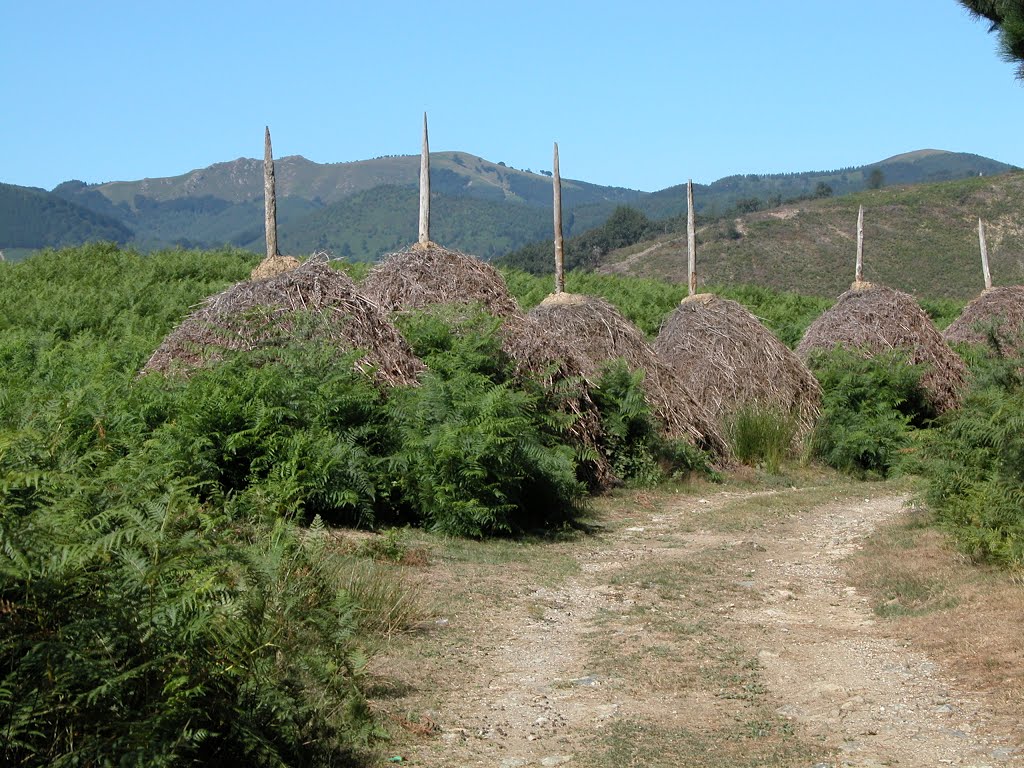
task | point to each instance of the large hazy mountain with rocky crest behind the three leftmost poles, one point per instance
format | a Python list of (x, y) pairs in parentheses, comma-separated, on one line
[(482, 207)]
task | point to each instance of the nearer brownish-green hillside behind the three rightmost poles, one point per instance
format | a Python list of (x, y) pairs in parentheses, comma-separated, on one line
[(921, 239)]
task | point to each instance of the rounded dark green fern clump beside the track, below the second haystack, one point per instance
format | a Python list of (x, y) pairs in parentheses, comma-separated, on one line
[(476, 459)]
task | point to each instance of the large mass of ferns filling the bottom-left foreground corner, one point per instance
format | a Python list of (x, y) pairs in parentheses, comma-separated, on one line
[(145, 631)]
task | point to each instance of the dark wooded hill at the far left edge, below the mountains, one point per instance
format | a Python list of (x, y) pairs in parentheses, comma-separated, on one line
[(32, 219)]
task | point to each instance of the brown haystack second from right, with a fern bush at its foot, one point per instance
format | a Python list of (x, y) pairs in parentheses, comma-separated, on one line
[(876, 320)]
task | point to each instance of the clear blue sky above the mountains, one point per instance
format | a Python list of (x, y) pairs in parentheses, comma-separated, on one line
[(643, 95)]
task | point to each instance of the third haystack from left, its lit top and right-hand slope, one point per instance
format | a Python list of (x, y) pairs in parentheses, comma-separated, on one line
[(600, 332)]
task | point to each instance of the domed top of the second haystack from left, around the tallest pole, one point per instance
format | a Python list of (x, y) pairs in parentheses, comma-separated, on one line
[(428, 274)]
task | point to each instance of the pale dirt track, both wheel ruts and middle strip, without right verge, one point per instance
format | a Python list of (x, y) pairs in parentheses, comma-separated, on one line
[(552, 670)]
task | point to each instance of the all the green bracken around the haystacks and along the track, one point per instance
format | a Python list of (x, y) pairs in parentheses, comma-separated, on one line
[(168, 589)]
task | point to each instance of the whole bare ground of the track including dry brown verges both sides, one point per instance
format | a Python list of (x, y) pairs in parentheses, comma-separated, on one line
[(716, 628)]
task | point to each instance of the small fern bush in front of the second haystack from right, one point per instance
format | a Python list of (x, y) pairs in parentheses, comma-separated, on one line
[(870, 409)]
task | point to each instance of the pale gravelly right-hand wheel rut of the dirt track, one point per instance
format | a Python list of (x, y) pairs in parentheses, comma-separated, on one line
[(878, 701)]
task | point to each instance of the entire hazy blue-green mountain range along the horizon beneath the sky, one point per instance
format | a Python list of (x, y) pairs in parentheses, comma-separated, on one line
[(365, 209)]
